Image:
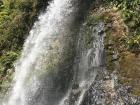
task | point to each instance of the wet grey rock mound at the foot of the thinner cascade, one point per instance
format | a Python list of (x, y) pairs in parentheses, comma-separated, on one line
[(106, 91)]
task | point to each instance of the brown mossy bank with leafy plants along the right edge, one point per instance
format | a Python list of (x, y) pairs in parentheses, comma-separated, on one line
[(125, 41)]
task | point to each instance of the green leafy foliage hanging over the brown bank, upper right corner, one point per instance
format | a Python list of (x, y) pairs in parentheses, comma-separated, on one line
[(131, 15)]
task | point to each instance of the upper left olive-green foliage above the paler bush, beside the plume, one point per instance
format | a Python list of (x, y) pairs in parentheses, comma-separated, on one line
[(16, 19)]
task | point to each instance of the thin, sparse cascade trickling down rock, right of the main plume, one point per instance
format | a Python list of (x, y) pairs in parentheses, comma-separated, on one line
[(88, 62)]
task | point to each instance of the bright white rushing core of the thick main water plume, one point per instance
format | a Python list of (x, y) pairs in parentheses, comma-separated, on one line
[(50, 25)]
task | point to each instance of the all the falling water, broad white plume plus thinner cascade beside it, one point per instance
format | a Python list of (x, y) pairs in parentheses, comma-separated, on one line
[(45, 37)]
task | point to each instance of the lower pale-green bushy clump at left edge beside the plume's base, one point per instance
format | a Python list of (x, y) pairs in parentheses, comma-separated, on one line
[(7, 69)]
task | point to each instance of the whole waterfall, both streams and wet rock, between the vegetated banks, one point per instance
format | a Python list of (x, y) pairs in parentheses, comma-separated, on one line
[(63, 59)]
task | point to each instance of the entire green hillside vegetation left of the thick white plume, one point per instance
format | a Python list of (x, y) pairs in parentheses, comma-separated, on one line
[(16, 19)]
